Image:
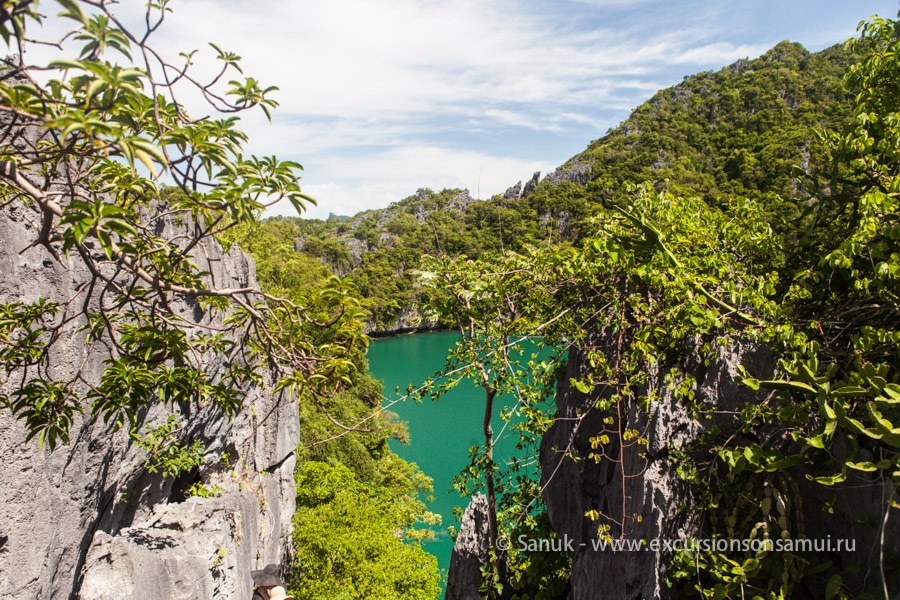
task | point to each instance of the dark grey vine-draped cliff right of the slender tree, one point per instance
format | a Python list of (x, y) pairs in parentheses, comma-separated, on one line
[(656, 495)]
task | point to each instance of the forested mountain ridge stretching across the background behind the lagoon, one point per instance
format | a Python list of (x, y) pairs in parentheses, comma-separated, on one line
[(736, 132)]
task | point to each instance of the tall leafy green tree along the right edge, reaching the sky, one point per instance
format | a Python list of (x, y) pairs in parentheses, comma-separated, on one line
[(840, 348)]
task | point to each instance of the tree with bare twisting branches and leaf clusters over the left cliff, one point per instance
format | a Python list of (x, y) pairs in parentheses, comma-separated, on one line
[(87, 142)]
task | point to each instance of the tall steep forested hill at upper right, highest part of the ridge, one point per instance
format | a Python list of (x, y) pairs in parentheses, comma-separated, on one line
[(736, 132)]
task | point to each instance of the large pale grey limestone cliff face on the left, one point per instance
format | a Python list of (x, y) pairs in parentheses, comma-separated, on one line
[(87, 521)]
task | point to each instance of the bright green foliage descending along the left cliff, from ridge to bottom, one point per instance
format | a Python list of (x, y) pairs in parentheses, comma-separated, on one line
[(361, 515)]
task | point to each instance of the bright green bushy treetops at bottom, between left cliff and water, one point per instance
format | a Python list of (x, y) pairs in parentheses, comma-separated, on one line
[(361, 538)]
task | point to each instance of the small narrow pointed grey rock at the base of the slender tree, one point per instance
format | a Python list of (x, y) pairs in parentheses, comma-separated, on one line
[(469, 552)]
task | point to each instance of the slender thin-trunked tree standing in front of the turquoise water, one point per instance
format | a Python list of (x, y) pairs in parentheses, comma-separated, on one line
[(501, 306)]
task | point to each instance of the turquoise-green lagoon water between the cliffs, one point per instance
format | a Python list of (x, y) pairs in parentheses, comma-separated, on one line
[(441, 432)]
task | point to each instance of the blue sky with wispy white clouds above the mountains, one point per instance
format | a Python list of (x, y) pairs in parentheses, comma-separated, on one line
[(379, 98)]
